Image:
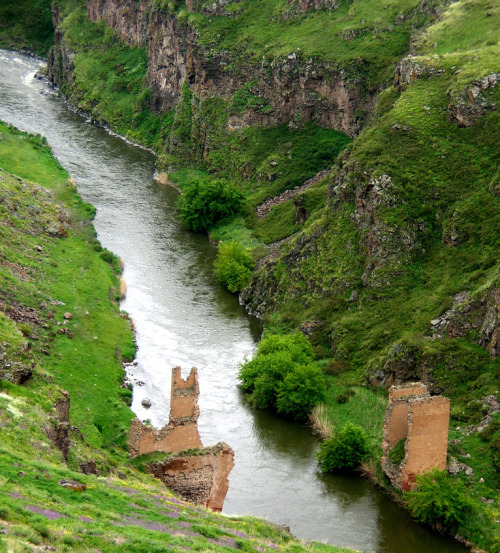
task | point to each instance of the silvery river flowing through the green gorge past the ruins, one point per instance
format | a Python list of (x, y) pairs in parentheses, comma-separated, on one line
[(184, 318)]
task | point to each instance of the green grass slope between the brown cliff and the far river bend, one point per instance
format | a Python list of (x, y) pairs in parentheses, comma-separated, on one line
[(109, 83)]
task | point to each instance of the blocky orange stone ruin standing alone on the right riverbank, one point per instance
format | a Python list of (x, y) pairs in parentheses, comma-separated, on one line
[(422, 420)]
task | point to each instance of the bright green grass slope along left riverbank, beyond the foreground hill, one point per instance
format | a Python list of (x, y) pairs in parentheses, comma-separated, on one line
[(67, 270)]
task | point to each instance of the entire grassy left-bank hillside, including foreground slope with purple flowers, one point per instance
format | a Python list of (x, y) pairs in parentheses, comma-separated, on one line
[(58, 290)]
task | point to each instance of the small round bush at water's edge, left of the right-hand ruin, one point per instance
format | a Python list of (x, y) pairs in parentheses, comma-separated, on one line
[(346, 450)]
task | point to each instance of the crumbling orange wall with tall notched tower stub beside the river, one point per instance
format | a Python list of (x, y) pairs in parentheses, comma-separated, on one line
[(181, 432)]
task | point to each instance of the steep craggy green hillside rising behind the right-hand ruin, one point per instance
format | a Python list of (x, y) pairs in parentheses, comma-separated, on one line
[(394, 277)]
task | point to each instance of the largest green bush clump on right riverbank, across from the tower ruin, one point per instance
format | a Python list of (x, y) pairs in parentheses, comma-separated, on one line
[(282, 378)]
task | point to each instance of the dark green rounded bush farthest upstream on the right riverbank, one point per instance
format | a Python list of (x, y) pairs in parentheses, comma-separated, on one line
[(207, 201)]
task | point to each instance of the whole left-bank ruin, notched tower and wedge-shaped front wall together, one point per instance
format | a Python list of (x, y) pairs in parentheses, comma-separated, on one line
[(200, 476)]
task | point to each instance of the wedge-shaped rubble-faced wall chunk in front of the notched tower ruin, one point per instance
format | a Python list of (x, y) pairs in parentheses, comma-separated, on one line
[(201, 478)]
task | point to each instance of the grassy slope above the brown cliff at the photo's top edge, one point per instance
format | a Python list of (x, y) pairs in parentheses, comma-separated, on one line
[(359, 36)]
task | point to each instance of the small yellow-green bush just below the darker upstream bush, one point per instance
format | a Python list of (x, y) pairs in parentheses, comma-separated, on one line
[(233, 266)]
